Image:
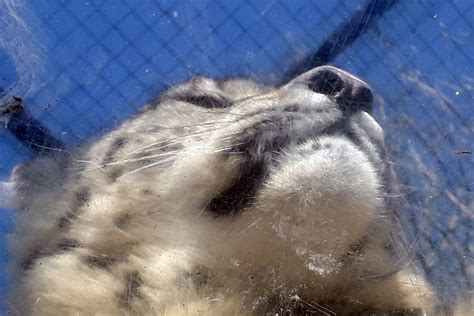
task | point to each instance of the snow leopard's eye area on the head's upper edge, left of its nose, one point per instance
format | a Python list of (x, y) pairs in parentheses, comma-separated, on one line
[(200, 91)]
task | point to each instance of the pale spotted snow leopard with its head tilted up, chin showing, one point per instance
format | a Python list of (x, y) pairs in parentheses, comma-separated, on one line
[(221, 197)]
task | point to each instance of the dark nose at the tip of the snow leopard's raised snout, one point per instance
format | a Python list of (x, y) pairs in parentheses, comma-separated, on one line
[(349, 91)]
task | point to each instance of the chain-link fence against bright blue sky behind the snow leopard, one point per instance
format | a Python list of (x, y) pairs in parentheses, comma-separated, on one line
[(83, 67)]
